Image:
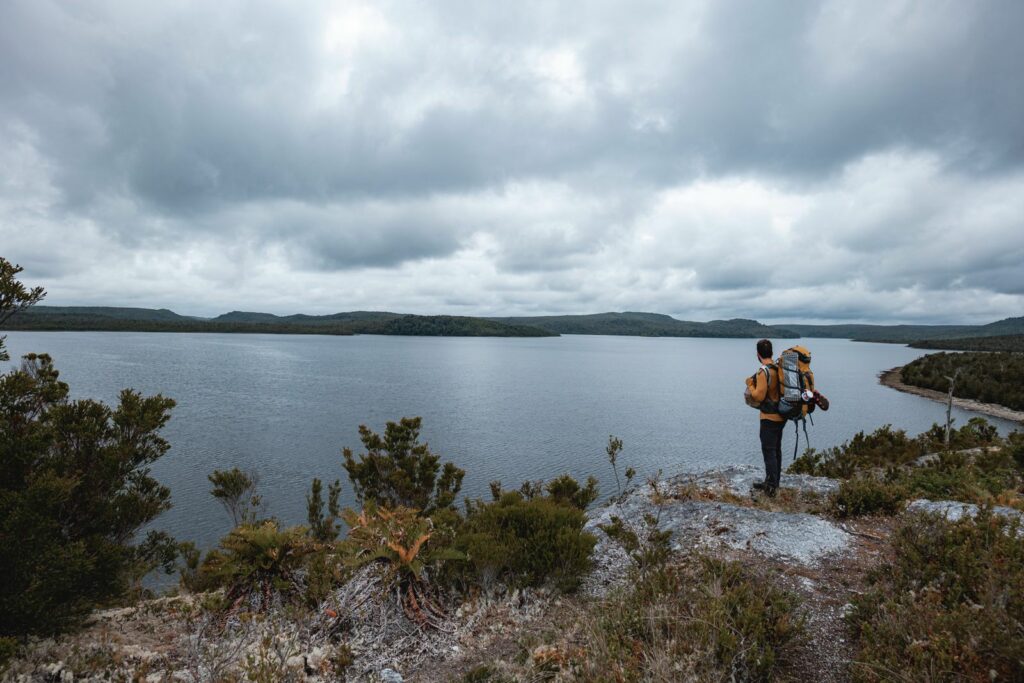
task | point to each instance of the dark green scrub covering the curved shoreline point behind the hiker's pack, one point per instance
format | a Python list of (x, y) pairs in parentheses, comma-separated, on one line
[(991, 378)]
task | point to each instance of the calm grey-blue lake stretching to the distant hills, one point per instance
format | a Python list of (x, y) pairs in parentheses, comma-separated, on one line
[(501, 409)]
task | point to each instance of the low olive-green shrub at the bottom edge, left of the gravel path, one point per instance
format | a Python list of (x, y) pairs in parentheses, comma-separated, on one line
[(719, 620)]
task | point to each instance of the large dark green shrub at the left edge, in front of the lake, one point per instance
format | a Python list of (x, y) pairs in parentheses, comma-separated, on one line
[(75, 489)]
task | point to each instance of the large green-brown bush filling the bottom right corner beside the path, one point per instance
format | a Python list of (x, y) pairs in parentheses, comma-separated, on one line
[(949, 607)]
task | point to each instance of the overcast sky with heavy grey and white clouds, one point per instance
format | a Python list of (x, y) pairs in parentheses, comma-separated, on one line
[(784, 161)]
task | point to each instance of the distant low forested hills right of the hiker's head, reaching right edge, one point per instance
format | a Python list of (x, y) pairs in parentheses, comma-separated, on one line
[(906, 334)]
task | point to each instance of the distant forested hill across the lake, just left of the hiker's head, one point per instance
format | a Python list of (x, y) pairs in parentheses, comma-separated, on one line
[(648, 325)]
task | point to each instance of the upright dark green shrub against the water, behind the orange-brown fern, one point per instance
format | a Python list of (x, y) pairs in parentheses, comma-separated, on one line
[(399, 472)]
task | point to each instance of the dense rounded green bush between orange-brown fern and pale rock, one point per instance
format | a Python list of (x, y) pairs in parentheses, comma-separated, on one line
[(526, 541)]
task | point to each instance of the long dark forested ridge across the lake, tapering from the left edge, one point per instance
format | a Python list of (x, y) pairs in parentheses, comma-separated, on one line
[(148, 320)]
